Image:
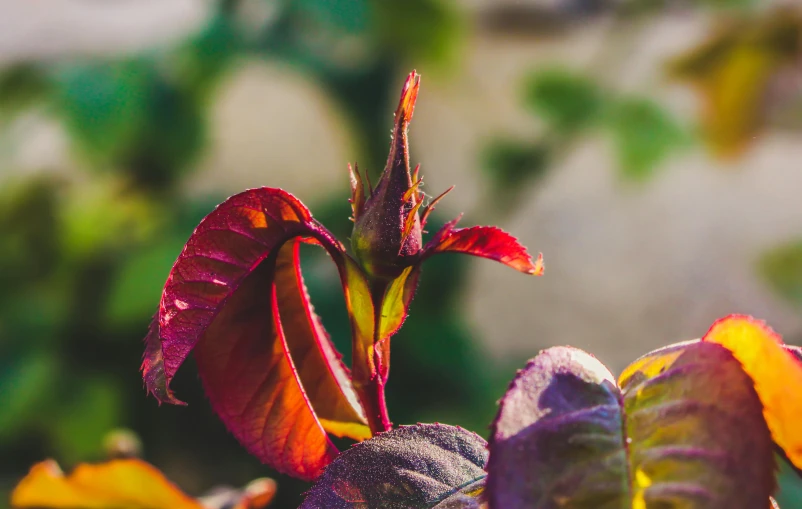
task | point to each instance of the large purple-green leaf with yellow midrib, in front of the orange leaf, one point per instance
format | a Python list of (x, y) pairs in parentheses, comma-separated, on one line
[(684, 430)]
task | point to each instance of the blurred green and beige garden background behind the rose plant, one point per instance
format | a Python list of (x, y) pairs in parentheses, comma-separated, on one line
[(649, 148)]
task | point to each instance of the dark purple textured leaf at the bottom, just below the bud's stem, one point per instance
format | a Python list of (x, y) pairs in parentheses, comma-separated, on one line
[(411, 467)]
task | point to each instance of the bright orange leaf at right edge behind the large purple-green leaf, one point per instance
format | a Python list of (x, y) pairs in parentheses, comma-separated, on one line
[(777, 376)]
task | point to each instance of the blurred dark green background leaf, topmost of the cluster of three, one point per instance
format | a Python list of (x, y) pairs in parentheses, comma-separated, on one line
[(566, 101)]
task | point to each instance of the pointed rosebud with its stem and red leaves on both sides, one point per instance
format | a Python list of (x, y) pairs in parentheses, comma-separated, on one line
[(236, 297)]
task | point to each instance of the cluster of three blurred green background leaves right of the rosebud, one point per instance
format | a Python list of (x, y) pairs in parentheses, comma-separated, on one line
[(570, 105)]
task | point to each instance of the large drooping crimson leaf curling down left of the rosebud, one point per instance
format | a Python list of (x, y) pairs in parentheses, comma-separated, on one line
[(236, 296)]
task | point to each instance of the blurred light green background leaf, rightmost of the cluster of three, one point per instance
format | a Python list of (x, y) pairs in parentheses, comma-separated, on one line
[(644, 135)]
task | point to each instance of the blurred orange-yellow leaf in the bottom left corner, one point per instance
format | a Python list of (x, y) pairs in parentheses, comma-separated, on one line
[(118, 484)]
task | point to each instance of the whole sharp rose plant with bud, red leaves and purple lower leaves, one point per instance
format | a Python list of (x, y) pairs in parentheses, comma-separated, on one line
[(697, 424)]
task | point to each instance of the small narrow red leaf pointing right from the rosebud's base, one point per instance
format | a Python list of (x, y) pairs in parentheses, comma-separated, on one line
[(485, 241)]
